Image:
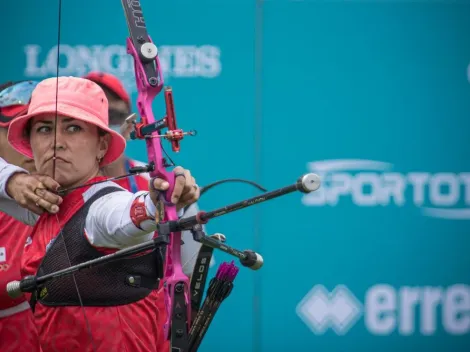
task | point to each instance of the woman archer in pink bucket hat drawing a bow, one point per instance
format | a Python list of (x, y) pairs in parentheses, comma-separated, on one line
[(110, 307)]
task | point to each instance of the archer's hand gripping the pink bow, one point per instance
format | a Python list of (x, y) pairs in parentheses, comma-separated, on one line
[(186, 190)]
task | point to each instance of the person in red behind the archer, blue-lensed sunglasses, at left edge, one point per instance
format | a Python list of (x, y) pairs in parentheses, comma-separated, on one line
[(17, 329)]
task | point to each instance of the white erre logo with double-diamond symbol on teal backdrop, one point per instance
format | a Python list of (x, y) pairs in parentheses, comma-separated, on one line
[(406, 310)]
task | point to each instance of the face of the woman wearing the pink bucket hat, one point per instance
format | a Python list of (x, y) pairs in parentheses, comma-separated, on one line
[(78, 146)]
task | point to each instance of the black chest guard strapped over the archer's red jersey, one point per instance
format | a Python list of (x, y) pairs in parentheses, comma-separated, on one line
[(118, 282)]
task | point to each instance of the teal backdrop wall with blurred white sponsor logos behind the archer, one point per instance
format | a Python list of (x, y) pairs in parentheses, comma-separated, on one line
[(373, 95)]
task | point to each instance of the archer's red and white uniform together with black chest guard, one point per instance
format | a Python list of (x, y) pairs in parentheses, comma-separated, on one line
[(130, 321)]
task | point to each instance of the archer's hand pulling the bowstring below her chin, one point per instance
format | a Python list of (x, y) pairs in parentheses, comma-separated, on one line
[(34, 192)]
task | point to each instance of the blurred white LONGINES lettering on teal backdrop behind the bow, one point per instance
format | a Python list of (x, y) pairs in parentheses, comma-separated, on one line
[(177, 61)]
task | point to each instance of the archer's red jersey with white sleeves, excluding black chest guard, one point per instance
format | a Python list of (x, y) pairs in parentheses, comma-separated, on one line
[(109, 226)]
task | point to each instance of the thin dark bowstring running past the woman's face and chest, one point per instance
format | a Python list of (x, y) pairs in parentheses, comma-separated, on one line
[(87, 323)]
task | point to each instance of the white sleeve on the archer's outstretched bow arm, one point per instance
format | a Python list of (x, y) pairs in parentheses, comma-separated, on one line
[(109, 223)]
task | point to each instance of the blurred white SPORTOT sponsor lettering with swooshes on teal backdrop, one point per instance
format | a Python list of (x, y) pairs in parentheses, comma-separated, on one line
[(370, 183)]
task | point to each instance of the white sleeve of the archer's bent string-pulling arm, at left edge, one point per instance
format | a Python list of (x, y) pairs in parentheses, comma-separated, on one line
[(7, 204)]
